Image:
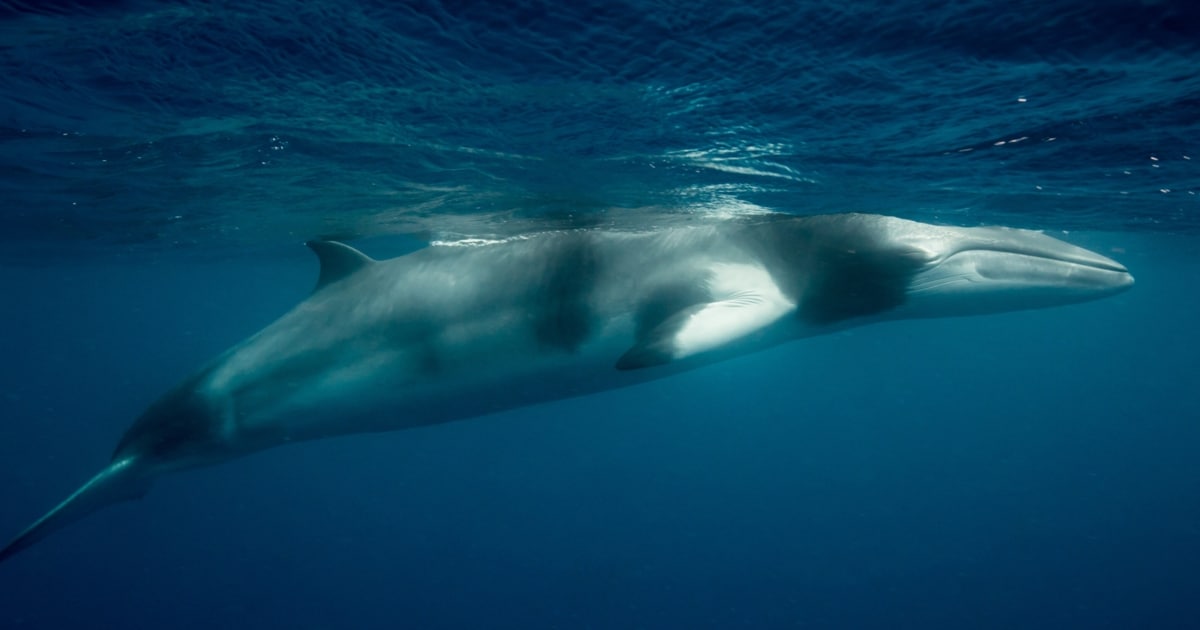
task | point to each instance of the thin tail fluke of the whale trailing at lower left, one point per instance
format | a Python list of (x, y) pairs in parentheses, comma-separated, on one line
[(122, 481)]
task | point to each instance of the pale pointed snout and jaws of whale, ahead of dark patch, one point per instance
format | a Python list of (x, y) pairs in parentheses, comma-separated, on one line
[(992, 269)]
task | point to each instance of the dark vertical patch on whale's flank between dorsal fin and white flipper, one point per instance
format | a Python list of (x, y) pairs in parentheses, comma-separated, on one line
[(563, 320)]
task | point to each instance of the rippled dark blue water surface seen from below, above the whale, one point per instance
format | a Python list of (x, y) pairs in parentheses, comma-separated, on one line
[(218, 125)]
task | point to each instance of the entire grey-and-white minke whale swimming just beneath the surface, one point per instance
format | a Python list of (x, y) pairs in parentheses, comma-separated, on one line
[(451, 333)]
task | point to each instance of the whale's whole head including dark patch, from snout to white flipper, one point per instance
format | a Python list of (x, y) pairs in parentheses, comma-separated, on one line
[(851, 269)]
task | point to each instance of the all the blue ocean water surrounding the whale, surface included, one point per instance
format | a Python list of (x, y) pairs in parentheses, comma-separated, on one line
[(163, 163)]
